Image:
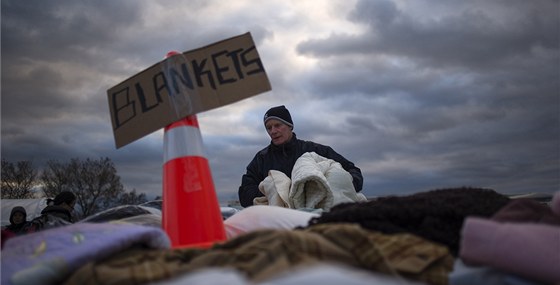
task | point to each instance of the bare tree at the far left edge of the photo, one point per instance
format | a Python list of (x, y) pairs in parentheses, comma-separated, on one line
[(18, 179)]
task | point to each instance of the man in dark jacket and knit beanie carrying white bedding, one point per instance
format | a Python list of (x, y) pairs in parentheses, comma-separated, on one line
[(284, 149)]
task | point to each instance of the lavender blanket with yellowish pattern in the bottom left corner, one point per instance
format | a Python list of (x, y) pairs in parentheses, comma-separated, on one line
[(50, 256)]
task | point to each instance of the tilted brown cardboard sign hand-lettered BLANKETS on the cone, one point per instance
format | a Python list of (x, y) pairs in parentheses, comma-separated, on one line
[(186, 84)]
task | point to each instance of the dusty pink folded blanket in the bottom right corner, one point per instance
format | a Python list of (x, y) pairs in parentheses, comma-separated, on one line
[(526, 249)]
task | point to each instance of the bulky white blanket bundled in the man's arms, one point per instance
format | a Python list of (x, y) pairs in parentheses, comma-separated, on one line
[(317, 183)]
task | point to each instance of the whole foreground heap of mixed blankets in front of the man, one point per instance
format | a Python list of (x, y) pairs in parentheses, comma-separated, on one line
[(446, 236)]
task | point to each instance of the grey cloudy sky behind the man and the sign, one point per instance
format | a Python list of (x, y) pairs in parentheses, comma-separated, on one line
[(419, 94)]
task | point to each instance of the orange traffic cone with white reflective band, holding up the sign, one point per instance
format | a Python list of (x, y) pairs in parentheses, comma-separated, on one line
[(191, 211)]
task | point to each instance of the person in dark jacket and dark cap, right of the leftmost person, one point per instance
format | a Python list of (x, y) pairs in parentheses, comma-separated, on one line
[(57, 214)]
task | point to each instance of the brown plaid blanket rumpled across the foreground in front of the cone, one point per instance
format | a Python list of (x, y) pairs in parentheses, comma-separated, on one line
[(262, 254)]
